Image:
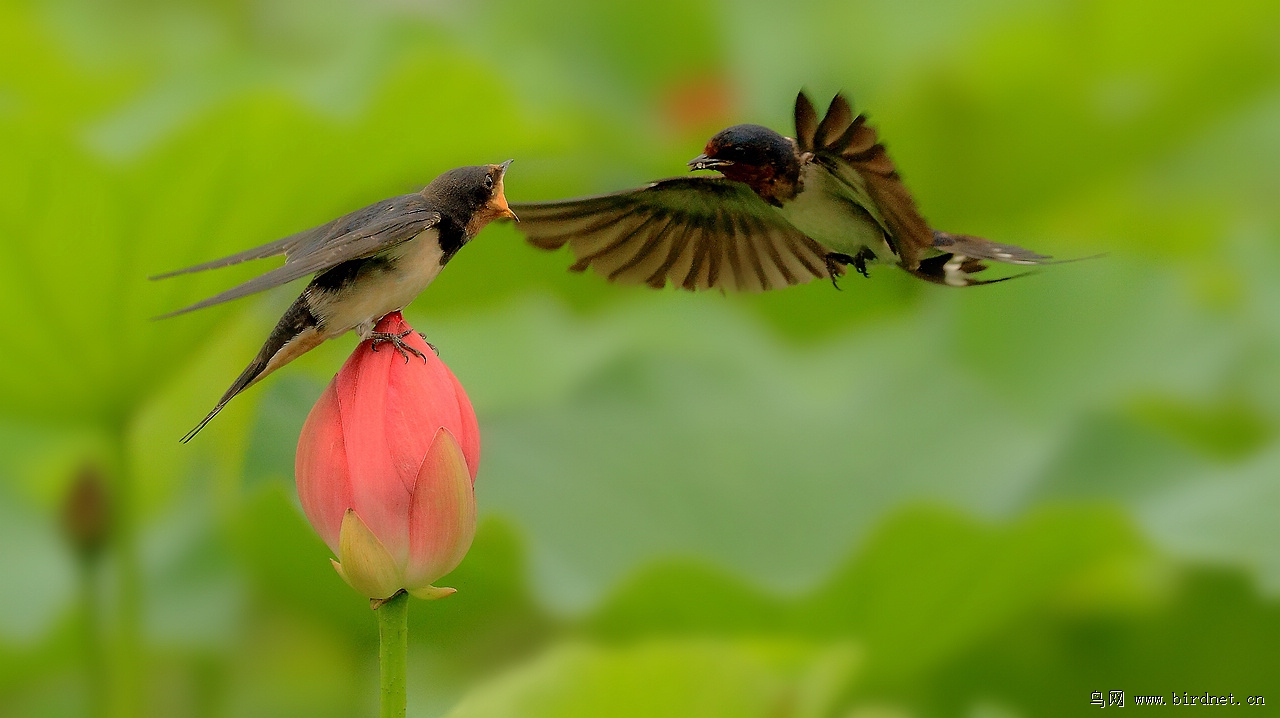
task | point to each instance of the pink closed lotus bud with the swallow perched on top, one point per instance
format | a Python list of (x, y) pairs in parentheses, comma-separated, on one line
[(386, 469)]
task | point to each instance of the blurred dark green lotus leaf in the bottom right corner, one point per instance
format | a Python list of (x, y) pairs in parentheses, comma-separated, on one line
[(1212, 630)]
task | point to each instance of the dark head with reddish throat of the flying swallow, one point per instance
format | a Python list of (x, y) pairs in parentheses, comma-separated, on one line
[(756, 156)]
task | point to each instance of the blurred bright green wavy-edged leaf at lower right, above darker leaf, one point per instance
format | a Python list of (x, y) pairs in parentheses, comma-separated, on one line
[(922, 588)]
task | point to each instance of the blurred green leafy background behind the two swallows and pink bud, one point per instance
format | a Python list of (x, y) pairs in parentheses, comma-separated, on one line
[(893, 501)]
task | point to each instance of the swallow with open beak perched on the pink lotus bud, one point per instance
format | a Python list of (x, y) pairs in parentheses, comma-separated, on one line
[(367, 266)]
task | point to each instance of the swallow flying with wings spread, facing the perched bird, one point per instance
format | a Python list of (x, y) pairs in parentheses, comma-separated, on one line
[(784, 212)]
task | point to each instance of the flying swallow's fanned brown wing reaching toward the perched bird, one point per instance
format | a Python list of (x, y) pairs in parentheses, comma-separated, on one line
[(697, 232)]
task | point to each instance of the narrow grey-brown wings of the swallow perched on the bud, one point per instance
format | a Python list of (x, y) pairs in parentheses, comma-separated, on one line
[(358, 235)]
